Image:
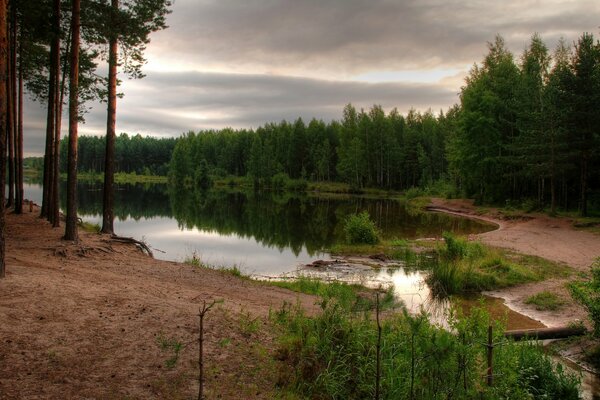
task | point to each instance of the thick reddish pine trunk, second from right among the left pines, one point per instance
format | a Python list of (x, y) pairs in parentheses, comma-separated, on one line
[(71, 223)]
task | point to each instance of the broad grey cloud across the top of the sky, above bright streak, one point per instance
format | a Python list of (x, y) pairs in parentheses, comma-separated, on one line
[(350, 35)]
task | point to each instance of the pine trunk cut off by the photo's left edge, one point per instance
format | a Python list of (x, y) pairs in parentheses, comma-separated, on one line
[(3, 120)]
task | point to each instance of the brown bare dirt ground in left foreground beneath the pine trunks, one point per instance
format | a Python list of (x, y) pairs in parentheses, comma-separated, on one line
[(88, 321)]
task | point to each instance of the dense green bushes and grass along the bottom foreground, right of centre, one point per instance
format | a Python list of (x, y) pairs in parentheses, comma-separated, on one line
[(333, 355)]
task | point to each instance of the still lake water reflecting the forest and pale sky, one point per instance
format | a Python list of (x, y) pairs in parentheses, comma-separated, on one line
[(262, 234)]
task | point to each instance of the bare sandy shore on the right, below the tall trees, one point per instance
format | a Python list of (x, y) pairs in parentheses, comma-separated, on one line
[(550, 238)]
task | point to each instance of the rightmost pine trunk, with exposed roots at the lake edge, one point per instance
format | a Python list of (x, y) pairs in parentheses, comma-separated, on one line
[(109, 160)]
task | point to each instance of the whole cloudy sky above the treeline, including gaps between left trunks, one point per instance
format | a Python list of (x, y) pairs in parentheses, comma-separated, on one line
[(242, 63)]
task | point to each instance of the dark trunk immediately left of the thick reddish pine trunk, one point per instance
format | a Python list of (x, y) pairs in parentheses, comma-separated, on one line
[(54, 209)]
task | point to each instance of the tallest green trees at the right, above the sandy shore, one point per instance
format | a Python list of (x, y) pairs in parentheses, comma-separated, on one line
[(531, 128)]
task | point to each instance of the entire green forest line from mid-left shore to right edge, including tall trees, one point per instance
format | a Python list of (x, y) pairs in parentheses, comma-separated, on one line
[(525, 130)]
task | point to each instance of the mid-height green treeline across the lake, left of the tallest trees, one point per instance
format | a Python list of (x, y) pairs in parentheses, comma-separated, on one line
[(365, 149)]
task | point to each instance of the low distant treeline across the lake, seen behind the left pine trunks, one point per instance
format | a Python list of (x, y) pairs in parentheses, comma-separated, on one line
[(142, 155)]
